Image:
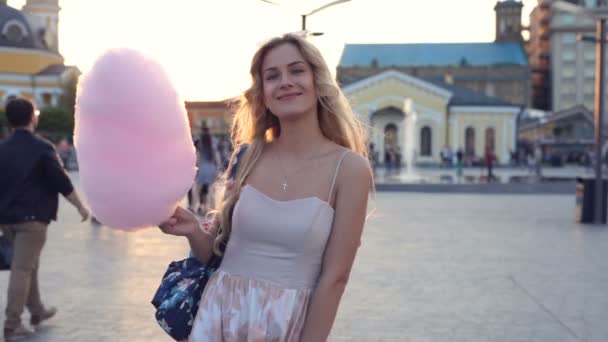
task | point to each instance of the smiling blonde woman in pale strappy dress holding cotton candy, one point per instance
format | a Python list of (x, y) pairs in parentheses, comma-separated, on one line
[(294, 216)]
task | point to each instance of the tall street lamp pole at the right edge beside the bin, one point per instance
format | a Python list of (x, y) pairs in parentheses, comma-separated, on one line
[(600, 14)]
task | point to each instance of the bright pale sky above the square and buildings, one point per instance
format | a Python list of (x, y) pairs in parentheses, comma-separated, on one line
[(206, 45)]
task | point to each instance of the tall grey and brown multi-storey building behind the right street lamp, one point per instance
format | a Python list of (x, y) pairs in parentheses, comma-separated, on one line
[(563, 67)]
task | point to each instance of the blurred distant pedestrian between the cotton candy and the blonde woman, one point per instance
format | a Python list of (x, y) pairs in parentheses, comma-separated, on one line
[(208, 167)]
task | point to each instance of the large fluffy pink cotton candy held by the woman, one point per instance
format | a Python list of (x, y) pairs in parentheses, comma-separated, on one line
[(135, 151)]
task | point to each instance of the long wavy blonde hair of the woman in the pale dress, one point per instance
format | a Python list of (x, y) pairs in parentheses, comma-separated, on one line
[(256, 126)]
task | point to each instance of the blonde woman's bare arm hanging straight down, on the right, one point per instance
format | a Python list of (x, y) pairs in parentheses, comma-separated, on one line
[(354, 183)]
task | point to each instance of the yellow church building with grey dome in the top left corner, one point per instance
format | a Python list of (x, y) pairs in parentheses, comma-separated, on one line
[(30, 63)]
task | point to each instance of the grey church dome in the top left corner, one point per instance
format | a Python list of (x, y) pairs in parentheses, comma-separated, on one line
[(15, 30)]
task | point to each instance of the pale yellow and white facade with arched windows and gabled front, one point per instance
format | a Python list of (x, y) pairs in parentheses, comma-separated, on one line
[(421, 117)]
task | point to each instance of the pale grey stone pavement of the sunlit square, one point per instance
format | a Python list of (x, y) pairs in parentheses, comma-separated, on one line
[(432, 267)]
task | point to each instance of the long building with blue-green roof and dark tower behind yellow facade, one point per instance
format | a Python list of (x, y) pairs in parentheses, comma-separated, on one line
[(497, 69)]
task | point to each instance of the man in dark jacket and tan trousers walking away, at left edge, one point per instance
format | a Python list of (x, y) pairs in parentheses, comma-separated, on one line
[(32, 177)]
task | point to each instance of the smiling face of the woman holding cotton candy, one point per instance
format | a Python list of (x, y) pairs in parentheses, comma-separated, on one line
[(288, 82)]
